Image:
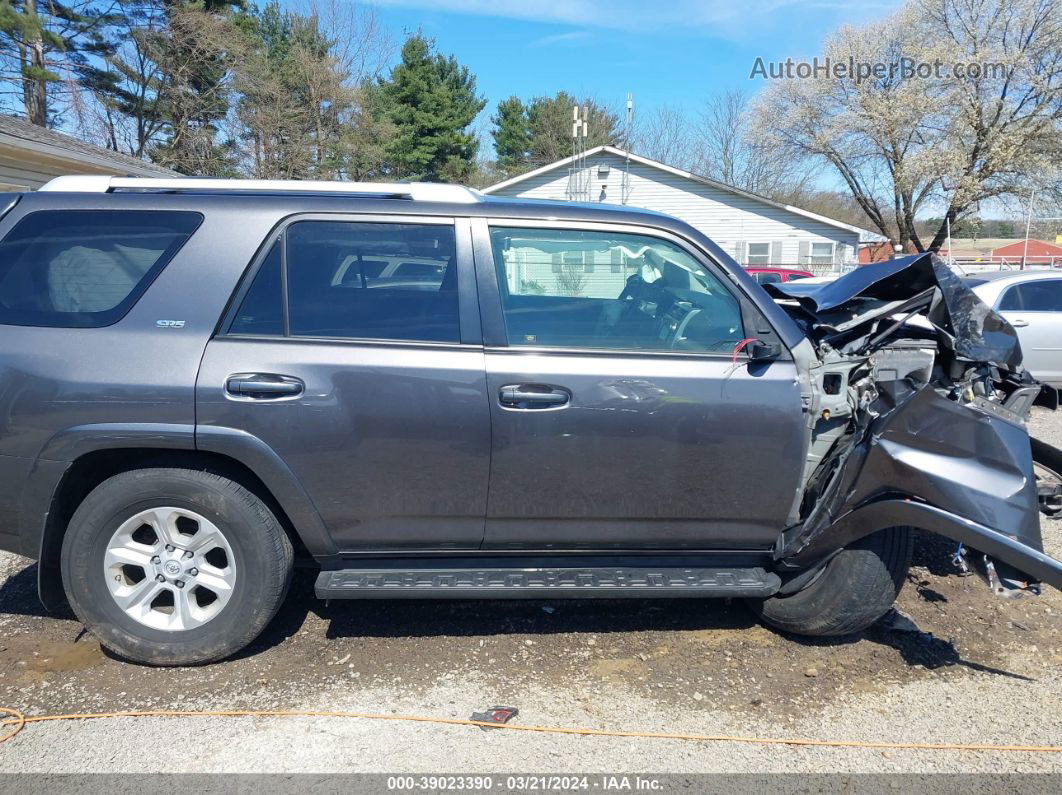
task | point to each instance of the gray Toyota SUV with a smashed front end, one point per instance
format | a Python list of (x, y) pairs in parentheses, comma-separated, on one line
[(430, 393)]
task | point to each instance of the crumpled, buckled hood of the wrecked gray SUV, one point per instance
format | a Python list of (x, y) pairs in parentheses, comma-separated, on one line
[(850, 310)]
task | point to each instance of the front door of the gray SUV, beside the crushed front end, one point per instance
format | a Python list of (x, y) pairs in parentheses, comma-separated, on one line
[(622, 417)]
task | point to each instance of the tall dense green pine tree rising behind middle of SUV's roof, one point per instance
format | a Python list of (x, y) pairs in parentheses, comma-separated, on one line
[(432, 101)]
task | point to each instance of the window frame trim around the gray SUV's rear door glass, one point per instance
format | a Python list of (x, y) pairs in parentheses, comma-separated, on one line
[(468, 300)]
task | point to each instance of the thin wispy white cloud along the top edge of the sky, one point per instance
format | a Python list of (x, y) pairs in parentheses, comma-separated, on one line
[(623, 14)]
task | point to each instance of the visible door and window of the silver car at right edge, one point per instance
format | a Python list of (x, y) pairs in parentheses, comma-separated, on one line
[(1035, 309)]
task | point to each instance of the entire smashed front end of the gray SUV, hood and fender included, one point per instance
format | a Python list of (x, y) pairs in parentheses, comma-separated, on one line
[(916, 402)]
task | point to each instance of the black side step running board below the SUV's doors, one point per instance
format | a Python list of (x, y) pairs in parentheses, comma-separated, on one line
[(435, 580)]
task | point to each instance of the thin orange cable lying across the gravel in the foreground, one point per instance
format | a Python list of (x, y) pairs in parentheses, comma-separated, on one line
[(20, 721)]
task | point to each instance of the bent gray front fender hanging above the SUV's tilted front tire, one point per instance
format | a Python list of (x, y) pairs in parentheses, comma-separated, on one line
[(956, 470)]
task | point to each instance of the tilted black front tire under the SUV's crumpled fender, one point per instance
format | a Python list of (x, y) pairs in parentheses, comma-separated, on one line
[(855, 590)]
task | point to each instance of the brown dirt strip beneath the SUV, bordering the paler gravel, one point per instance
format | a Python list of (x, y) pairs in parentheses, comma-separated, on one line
[(671, 651)]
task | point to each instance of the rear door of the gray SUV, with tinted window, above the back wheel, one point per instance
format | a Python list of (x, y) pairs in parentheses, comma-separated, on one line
[(354, 353)]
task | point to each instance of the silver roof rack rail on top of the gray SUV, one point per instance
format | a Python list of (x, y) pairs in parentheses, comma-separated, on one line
[(416, 192)]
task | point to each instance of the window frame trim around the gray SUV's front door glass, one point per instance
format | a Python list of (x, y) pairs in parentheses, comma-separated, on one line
[(495, 336)]
